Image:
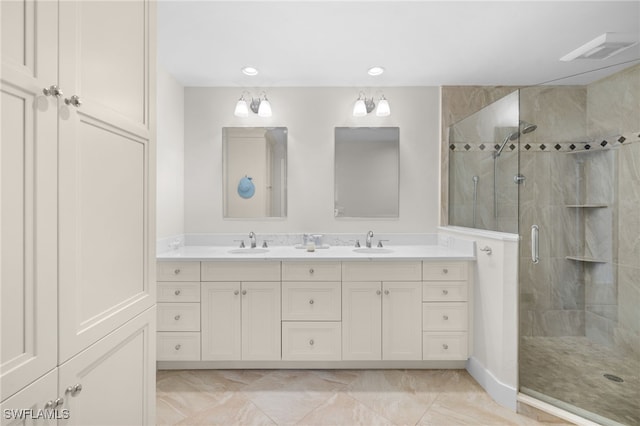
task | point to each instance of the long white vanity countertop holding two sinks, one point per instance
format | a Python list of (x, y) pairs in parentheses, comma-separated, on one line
[(400, 252)]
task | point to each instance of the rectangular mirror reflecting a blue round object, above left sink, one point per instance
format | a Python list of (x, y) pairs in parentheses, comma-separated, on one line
[(254, 168)]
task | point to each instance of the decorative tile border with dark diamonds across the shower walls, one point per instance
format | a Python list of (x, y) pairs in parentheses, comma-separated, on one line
[(603, 144)]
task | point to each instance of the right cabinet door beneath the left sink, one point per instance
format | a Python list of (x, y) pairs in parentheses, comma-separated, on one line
[(261, 329)]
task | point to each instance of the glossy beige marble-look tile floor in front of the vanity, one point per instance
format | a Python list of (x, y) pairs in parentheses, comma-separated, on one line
[(327, 397)]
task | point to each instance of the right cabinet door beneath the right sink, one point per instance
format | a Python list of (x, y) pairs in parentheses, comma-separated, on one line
[(402, 321)]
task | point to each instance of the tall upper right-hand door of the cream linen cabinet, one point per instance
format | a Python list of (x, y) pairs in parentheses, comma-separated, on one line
[(106, 169)]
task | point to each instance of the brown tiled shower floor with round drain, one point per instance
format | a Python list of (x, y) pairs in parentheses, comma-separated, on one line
[(571, 369)]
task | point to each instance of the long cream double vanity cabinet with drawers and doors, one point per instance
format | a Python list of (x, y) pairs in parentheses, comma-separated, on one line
[(328, 313)]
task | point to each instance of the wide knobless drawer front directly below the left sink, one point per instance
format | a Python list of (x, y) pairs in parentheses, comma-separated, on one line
[(241, 271)]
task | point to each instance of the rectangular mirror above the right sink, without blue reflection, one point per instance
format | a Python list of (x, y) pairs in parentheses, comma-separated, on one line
[(367, 172)]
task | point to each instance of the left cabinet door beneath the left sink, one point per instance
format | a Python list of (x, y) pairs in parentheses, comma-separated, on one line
[(220, 321)]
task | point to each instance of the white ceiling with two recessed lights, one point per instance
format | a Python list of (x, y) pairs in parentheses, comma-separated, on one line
[(420, 43)]
